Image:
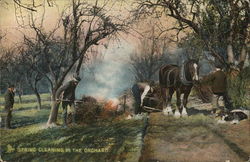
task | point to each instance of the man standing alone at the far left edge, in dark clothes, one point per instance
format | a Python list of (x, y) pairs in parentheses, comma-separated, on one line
[(9, 102)]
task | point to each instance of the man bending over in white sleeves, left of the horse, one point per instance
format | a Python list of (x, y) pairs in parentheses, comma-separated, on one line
[(140, 90)]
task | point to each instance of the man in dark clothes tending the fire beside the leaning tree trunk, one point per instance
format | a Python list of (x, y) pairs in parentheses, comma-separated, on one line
[(67, 93)]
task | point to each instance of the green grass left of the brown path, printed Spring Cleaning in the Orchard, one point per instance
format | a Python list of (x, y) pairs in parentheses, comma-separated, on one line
[(31, 140)]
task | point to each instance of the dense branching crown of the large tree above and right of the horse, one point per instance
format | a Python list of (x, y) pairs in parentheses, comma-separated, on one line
[(216, 23)]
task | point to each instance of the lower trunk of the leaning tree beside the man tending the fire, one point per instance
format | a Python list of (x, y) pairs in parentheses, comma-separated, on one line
[(54, 110)]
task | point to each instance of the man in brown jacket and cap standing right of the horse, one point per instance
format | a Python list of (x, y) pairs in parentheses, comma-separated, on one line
[(218, 82)]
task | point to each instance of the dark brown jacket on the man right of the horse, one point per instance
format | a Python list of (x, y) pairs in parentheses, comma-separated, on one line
[(217, 80)]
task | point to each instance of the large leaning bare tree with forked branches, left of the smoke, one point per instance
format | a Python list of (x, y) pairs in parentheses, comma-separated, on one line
[(84, 25)]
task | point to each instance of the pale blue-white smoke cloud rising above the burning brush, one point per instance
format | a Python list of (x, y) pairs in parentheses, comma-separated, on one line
[(108, 78)]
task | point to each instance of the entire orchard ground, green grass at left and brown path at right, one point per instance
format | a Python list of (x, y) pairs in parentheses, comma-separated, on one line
[(120, 140)]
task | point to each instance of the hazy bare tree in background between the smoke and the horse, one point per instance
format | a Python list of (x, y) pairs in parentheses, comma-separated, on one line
[(150, 56)]
